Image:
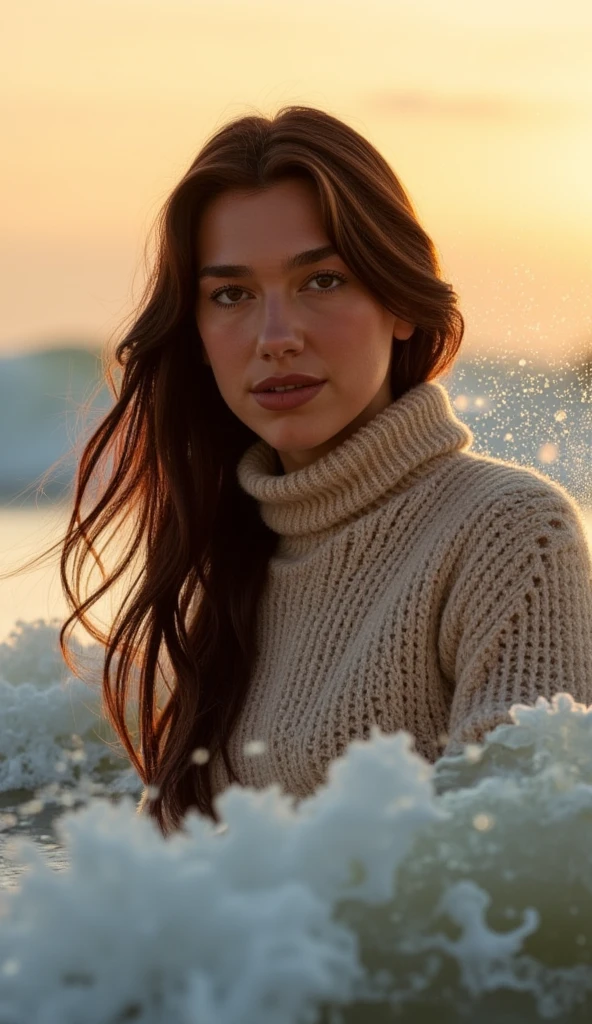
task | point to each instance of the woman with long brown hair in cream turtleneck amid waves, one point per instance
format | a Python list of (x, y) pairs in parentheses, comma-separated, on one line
[(317, 560)]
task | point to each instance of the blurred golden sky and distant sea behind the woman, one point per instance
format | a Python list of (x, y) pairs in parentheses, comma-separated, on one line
[(484, 111)]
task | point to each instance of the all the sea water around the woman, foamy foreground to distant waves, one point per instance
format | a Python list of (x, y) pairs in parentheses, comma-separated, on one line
[(399, 892)]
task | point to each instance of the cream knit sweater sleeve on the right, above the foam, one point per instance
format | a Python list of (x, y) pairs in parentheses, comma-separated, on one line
[(519, 621)]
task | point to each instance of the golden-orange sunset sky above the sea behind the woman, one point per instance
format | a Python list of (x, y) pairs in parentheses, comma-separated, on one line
[(484, 110)]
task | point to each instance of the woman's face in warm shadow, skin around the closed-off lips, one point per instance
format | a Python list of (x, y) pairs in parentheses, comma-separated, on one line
[(263, 318)]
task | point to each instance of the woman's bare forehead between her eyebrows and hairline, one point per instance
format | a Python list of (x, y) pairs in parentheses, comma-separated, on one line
[(241, 227)]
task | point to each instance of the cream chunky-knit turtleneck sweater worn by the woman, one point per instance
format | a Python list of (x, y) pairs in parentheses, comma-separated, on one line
[(416, 585)]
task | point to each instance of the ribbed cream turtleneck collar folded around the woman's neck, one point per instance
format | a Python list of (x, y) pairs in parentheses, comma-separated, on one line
[(351, 479)]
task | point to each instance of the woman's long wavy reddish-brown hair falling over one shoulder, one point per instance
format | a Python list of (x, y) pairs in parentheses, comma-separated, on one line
[(161, 465)]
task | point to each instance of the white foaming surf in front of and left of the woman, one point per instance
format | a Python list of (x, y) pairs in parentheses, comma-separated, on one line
[(398, 891)]
